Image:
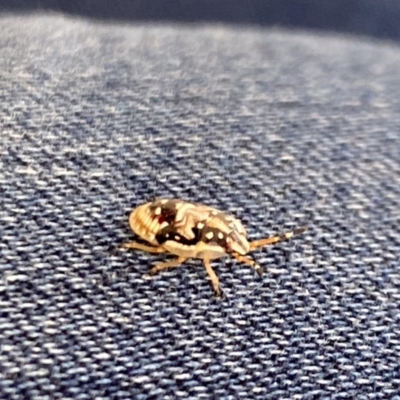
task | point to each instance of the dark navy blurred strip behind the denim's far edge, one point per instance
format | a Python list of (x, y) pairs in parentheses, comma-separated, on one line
[(366, 17)]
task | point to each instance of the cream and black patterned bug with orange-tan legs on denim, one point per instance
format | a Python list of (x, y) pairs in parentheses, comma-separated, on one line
[(192, 230)]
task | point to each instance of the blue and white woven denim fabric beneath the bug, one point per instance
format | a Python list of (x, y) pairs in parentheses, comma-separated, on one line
[(278, 128)]
